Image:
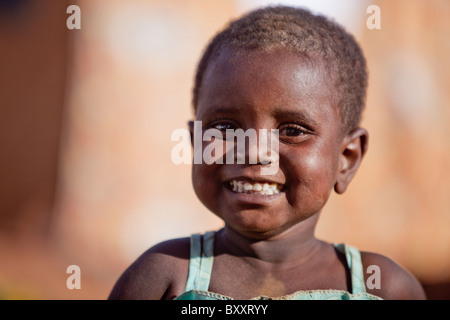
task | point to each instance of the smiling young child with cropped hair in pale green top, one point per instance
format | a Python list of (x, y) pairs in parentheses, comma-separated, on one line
[(287, 69)]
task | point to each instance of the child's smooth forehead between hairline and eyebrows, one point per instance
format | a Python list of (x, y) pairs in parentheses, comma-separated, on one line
[(264, 80)]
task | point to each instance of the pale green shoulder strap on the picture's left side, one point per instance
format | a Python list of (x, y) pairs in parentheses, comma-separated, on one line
[(201, 261)]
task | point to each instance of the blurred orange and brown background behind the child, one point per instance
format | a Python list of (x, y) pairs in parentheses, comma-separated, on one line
[(86, 118)]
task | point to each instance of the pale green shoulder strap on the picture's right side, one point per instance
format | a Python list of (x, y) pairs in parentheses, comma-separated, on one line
[(354, 262)]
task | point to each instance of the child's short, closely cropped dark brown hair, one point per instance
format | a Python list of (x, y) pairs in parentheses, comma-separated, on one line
[(303, 32)]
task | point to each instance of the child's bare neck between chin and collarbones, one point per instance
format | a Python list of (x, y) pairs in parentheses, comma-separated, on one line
[(294, 245)]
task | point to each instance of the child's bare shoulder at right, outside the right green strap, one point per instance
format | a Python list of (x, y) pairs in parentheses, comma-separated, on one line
[(395, 283)]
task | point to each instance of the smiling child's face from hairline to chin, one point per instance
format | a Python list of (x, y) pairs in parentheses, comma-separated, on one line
[(262, 90)]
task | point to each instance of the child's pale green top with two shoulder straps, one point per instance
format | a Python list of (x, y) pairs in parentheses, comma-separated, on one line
[(201, 262)]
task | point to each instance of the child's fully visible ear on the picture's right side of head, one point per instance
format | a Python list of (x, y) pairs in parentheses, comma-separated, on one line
[(353, 148)]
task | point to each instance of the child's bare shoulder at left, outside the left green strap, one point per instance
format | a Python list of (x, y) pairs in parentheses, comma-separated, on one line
[(157, 274)]
